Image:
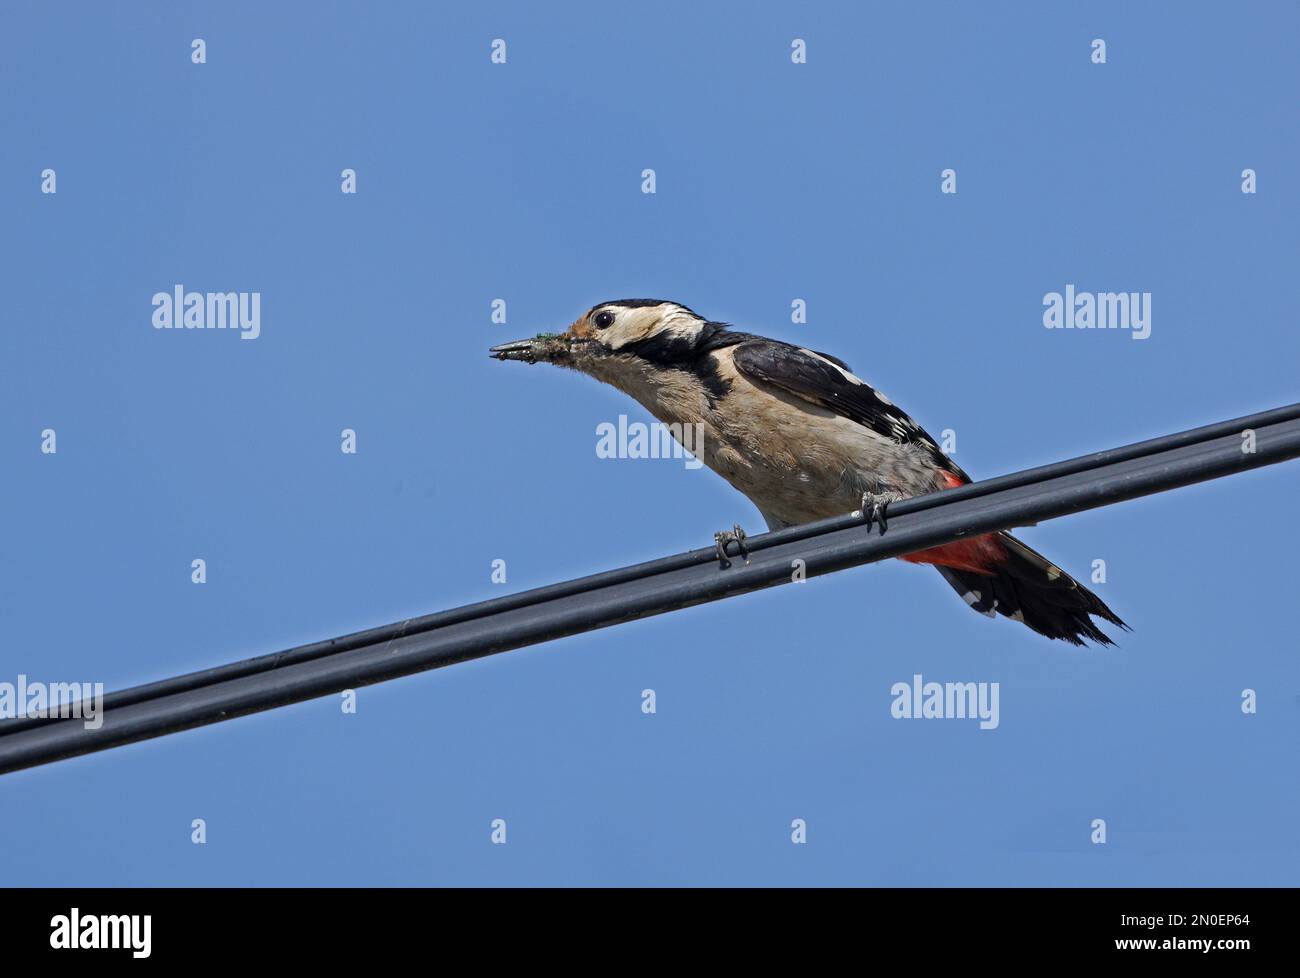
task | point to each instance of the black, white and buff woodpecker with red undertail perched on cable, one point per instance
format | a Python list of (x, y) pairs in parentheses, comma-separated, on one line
[(804, 439)]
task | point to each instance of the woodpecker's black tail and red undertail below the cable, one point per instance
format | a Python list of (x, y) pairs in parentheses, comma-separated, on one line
[(999, 575)]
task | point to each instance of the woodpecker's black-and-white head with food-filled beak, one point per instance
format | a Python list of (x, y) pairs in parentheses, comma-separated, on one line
[(613, 332)]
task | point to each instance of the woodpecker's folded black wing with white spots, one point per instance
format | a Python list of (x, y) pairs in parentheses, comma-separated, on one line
[(827, 383)]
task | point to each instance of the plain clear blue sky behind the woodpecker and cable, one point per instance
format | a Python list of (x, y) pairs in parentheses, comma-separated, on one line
[(523, 181)]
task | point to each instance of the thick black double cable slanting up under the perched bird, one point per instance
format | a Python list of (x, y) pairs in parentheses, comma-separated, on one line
[(651, 588)]
